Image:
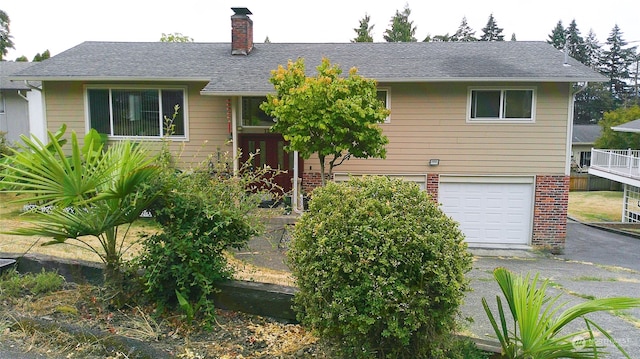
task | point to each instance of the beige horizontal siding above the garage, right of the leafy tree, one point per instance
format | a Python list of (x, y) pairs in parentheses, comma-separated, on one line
[(429, 121)]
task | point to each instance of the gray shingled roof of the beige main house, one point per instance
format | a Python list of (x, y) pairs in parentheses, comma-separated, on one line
[(385, 62)]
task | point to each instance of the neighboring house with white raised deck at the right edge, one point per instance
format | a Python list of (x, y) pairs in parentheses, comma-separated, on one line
[(621, 166)]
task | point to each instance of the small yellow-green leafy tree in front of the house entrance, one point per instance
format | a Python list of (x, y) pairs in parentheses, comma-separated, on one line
[(333, 116)]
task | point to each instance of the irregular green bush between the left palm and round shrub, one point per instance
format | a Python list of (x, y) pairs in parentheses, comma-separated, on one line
[(202, 214)]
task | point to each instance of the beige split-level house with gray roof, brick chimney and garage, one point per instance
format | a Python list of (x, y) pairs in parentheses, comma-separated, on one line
[(484, 127)]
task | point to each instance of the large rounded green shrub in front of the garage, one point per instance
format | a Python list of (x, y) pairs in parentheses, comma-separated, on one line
[(380, 269)]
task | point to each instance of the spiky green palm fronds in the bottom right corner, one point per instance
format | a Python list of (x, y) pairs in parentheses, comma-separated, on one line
[(539, 328)]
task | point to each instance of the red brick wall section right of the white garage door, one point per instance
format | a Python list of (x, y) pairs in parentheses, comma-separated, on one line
[(550, 212)]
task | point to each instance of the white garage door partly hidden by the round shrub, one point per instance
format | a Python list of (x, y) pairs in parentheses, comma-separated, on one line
[(490, 210)]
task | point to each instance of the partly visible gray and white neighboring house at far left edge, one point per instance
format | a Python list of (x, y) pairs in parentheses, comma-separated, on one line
[(21, 110)]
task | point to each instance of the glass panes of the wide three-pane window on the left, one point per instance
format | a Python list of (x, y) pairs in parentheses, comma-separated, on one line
[(136, 112)]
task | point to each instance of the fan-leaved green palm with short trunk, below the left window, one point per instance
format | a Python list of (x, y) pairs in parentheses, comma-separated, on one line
[(91, 192)]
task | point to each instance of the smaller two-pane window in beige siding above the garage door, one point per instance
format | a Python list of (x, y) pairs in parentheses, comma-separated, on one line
[(501, 104)]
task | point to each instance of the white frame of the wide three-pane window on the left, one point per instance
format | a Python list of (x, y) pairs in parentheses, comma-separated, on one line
[(111, 87)]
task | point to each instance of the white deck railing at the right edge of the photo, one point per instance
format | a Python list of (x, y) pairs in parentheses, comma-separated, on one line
[(624, 163)]
